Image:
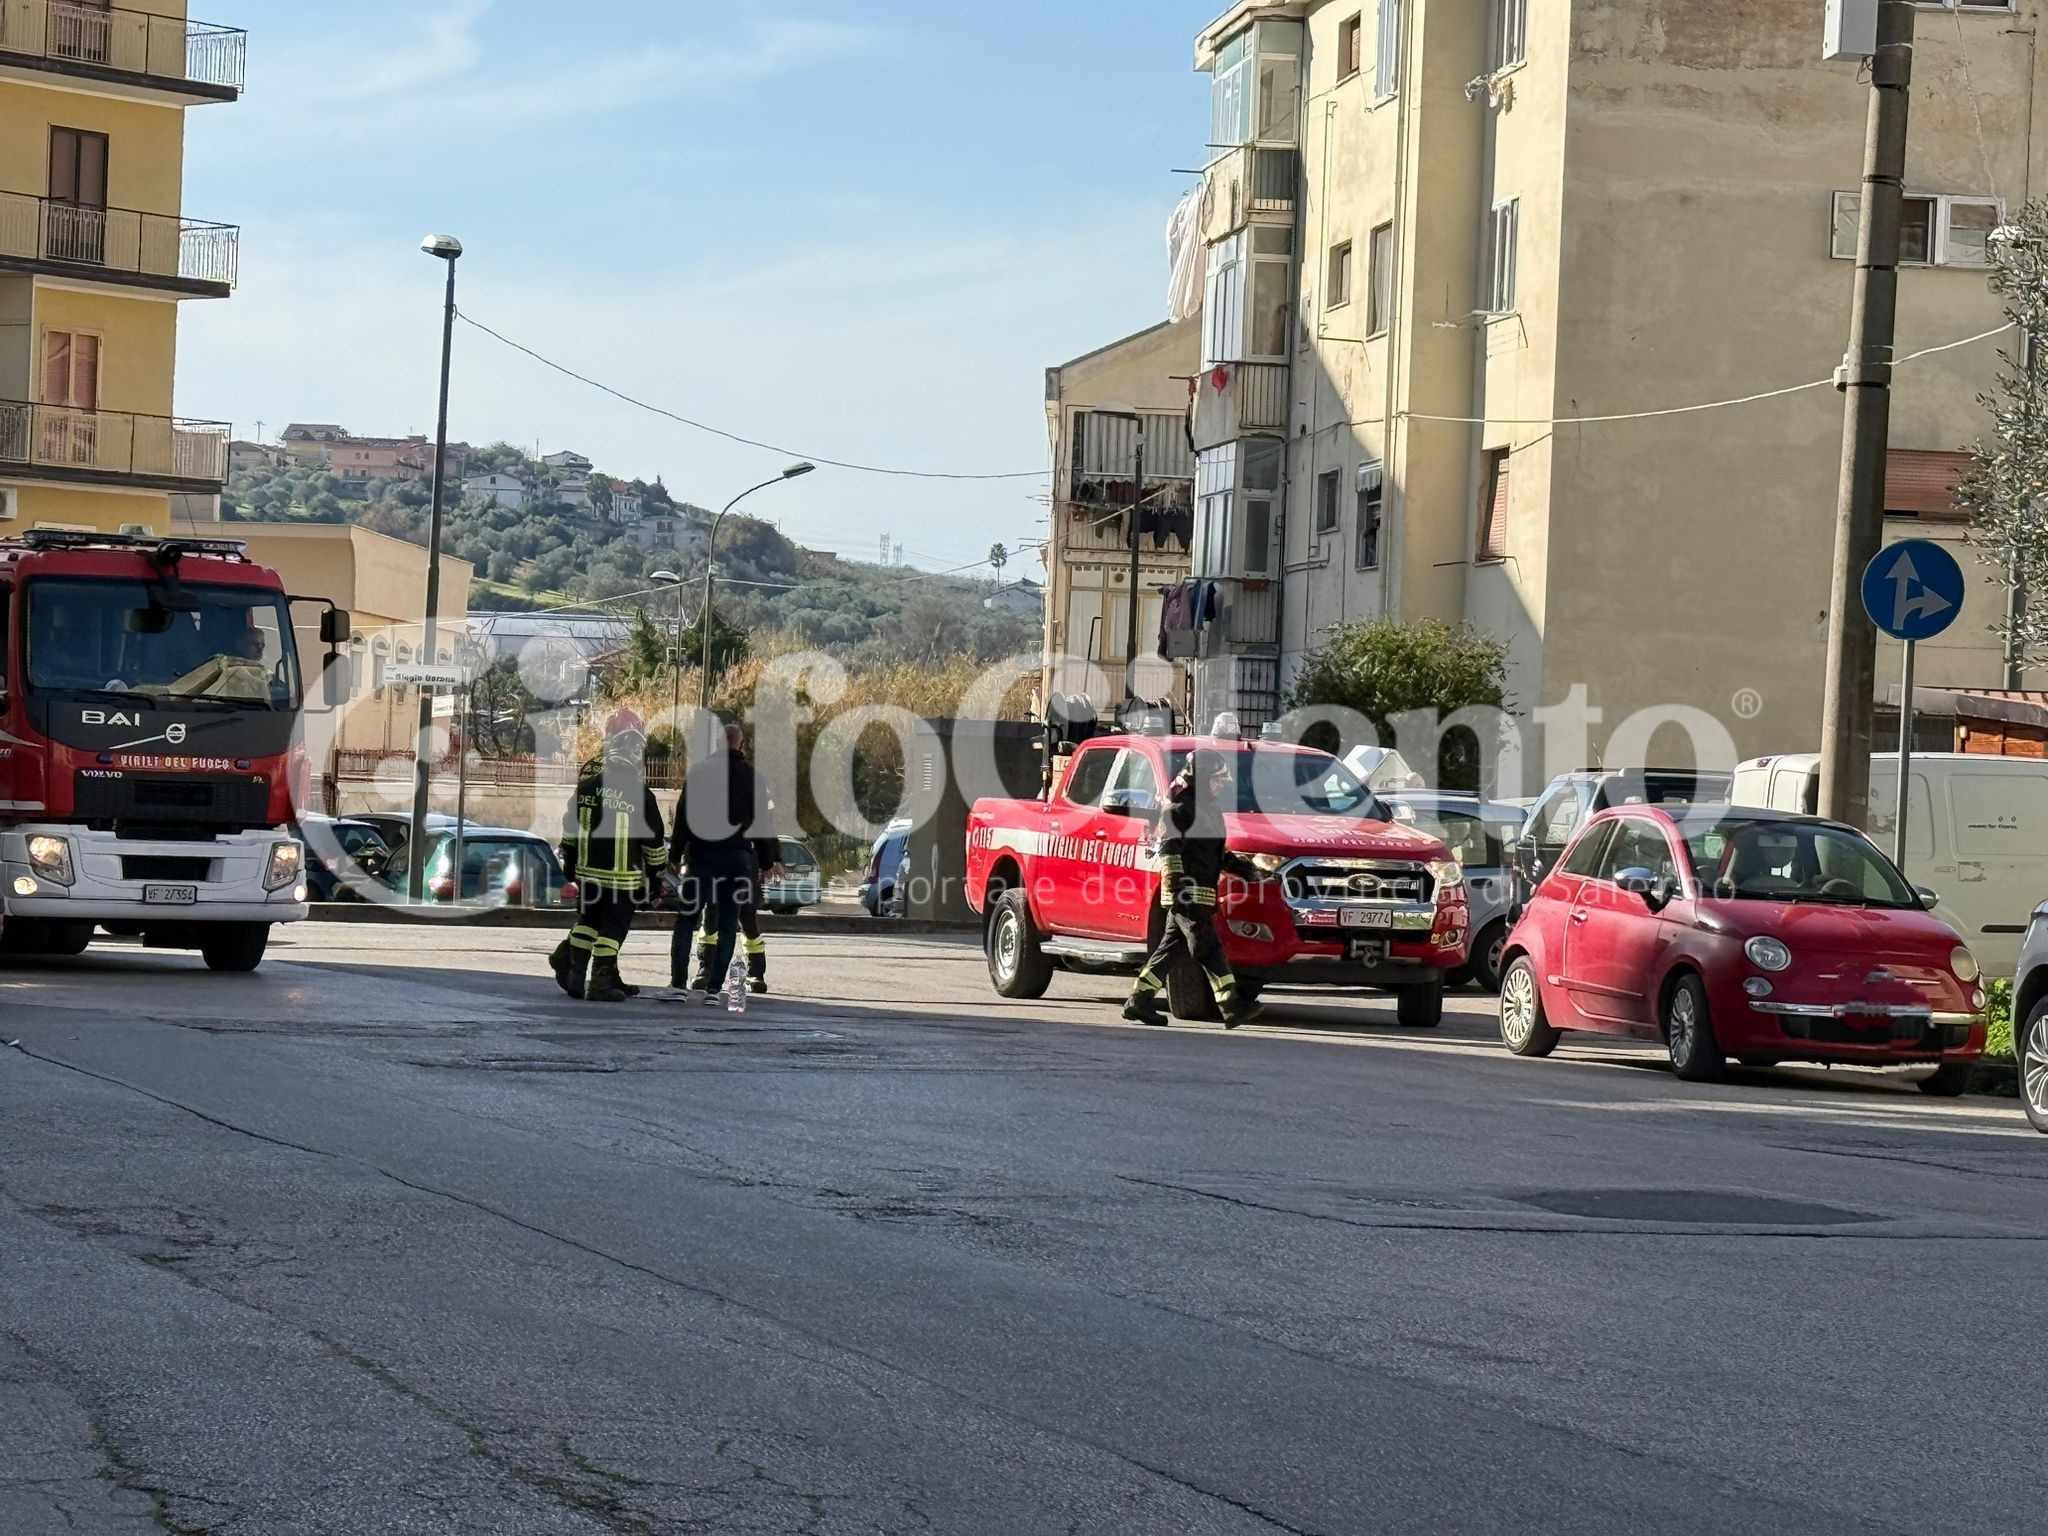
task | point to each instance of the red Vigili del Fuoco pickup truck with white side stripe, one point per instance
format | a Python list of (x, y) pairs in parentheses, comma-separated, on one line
[(1351, 900)]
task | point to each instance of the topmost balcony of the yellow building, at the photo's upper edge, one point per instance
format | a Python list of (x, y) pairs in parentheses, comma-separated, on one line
[(128, 52)]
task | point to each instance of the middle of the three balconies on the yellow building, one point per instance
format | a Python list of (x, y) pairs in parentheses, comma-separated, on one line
[(122, 247)]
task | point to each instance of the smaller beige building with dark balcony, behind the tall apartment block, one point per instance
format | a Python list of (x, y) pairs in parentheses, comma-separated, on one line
[(1097, 409)]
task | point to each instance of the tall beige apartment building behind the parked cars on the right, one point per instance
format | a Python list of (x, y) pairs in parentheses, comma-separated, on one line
[(1441, 234)]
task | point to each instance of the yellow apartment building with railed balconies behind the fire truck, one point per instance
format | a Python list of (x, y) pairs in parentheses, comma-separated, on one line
[(97, 255)]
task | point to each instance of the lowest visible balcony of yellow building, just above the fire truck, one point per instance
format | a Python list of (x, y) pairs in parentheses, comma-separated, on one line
[(89, 447)]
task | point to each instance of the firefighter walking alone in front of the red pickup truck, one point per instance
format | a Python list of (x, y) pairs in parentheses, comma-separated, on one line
[(1193, 857)]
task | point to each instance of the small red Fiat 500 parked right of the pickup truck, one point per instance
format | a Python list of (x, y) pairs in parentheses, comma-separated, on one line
[(1740, 933)]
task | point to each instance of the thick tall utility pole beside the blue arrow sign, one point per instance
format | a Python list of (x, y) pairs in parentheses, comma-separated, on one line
[(1867, 384)]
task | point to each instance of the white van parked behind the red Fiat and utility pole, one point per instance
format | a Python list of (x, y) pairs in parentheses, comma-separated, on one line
[(1977, 835)]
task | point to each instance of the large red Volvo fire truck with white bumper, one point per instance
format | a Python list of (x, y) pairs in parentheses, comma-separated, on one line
[(151, 751)]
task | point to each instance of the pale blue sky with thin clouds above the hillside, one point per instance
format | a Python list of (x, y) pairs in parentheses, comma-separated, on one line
[(861, 230)]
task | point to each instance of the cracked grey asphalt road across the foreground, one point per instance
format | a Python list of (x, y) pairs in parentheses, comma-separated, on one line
[(394, 1240)]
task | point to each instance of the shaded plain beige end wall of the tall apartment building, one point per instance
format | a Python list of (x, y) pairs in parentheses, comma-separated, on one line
[(1689, 558)]
